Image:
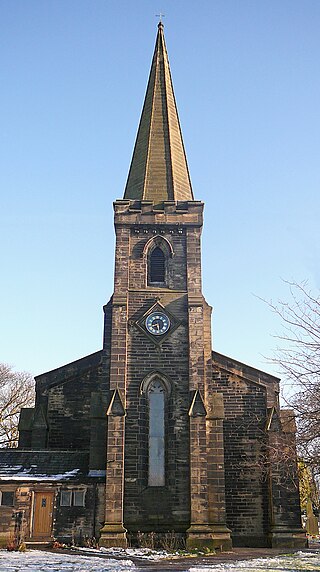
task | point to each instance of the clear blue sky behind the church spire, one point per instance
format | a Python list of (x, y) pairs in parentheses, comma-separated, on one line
[(72, 82)]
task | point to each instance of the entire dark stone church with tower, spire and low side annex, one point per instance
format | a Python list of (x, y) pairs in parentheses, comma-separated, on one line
[(155, 432)]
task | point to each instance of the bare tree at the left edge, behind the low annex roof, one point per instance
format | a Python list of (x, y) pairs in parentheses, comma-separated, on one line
[(16, 391)]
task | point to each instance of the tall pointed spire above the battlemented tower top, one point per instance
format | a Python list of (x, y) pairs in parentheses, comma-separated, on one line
[(159, 170)]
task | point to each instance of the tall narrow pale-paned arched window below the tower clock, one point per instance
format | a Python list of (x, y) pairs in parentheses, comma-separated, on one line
[(156, 402)]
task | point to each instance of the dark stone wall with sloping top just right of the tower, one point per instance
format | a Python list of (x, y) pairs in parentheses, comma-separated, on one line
[(244, 442)]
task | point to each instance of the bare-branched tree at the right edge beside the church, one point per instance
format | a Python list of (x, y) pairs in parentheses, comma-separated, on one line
[(298, 357)]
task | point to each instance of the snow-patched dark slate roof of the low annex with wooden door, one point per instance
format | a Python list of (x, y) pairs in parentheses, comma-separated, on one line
[(49, 465)]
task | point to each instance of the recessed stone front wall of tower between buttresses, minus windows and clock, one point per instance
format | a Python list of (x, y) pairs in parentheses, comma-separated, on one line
[(157, 508)]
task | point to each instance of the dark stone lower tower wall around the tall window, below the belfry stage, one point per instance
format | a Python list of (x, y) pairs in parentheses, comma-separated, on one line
[(142, 503)]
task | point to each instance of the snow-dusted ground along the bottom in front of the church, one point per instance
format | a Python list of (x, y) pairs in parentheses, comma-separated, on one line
[(39, 561)]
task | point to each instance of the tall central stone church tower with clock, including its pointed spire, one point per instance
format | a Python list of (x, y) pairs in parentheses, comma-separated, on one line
[(165, 459)]
